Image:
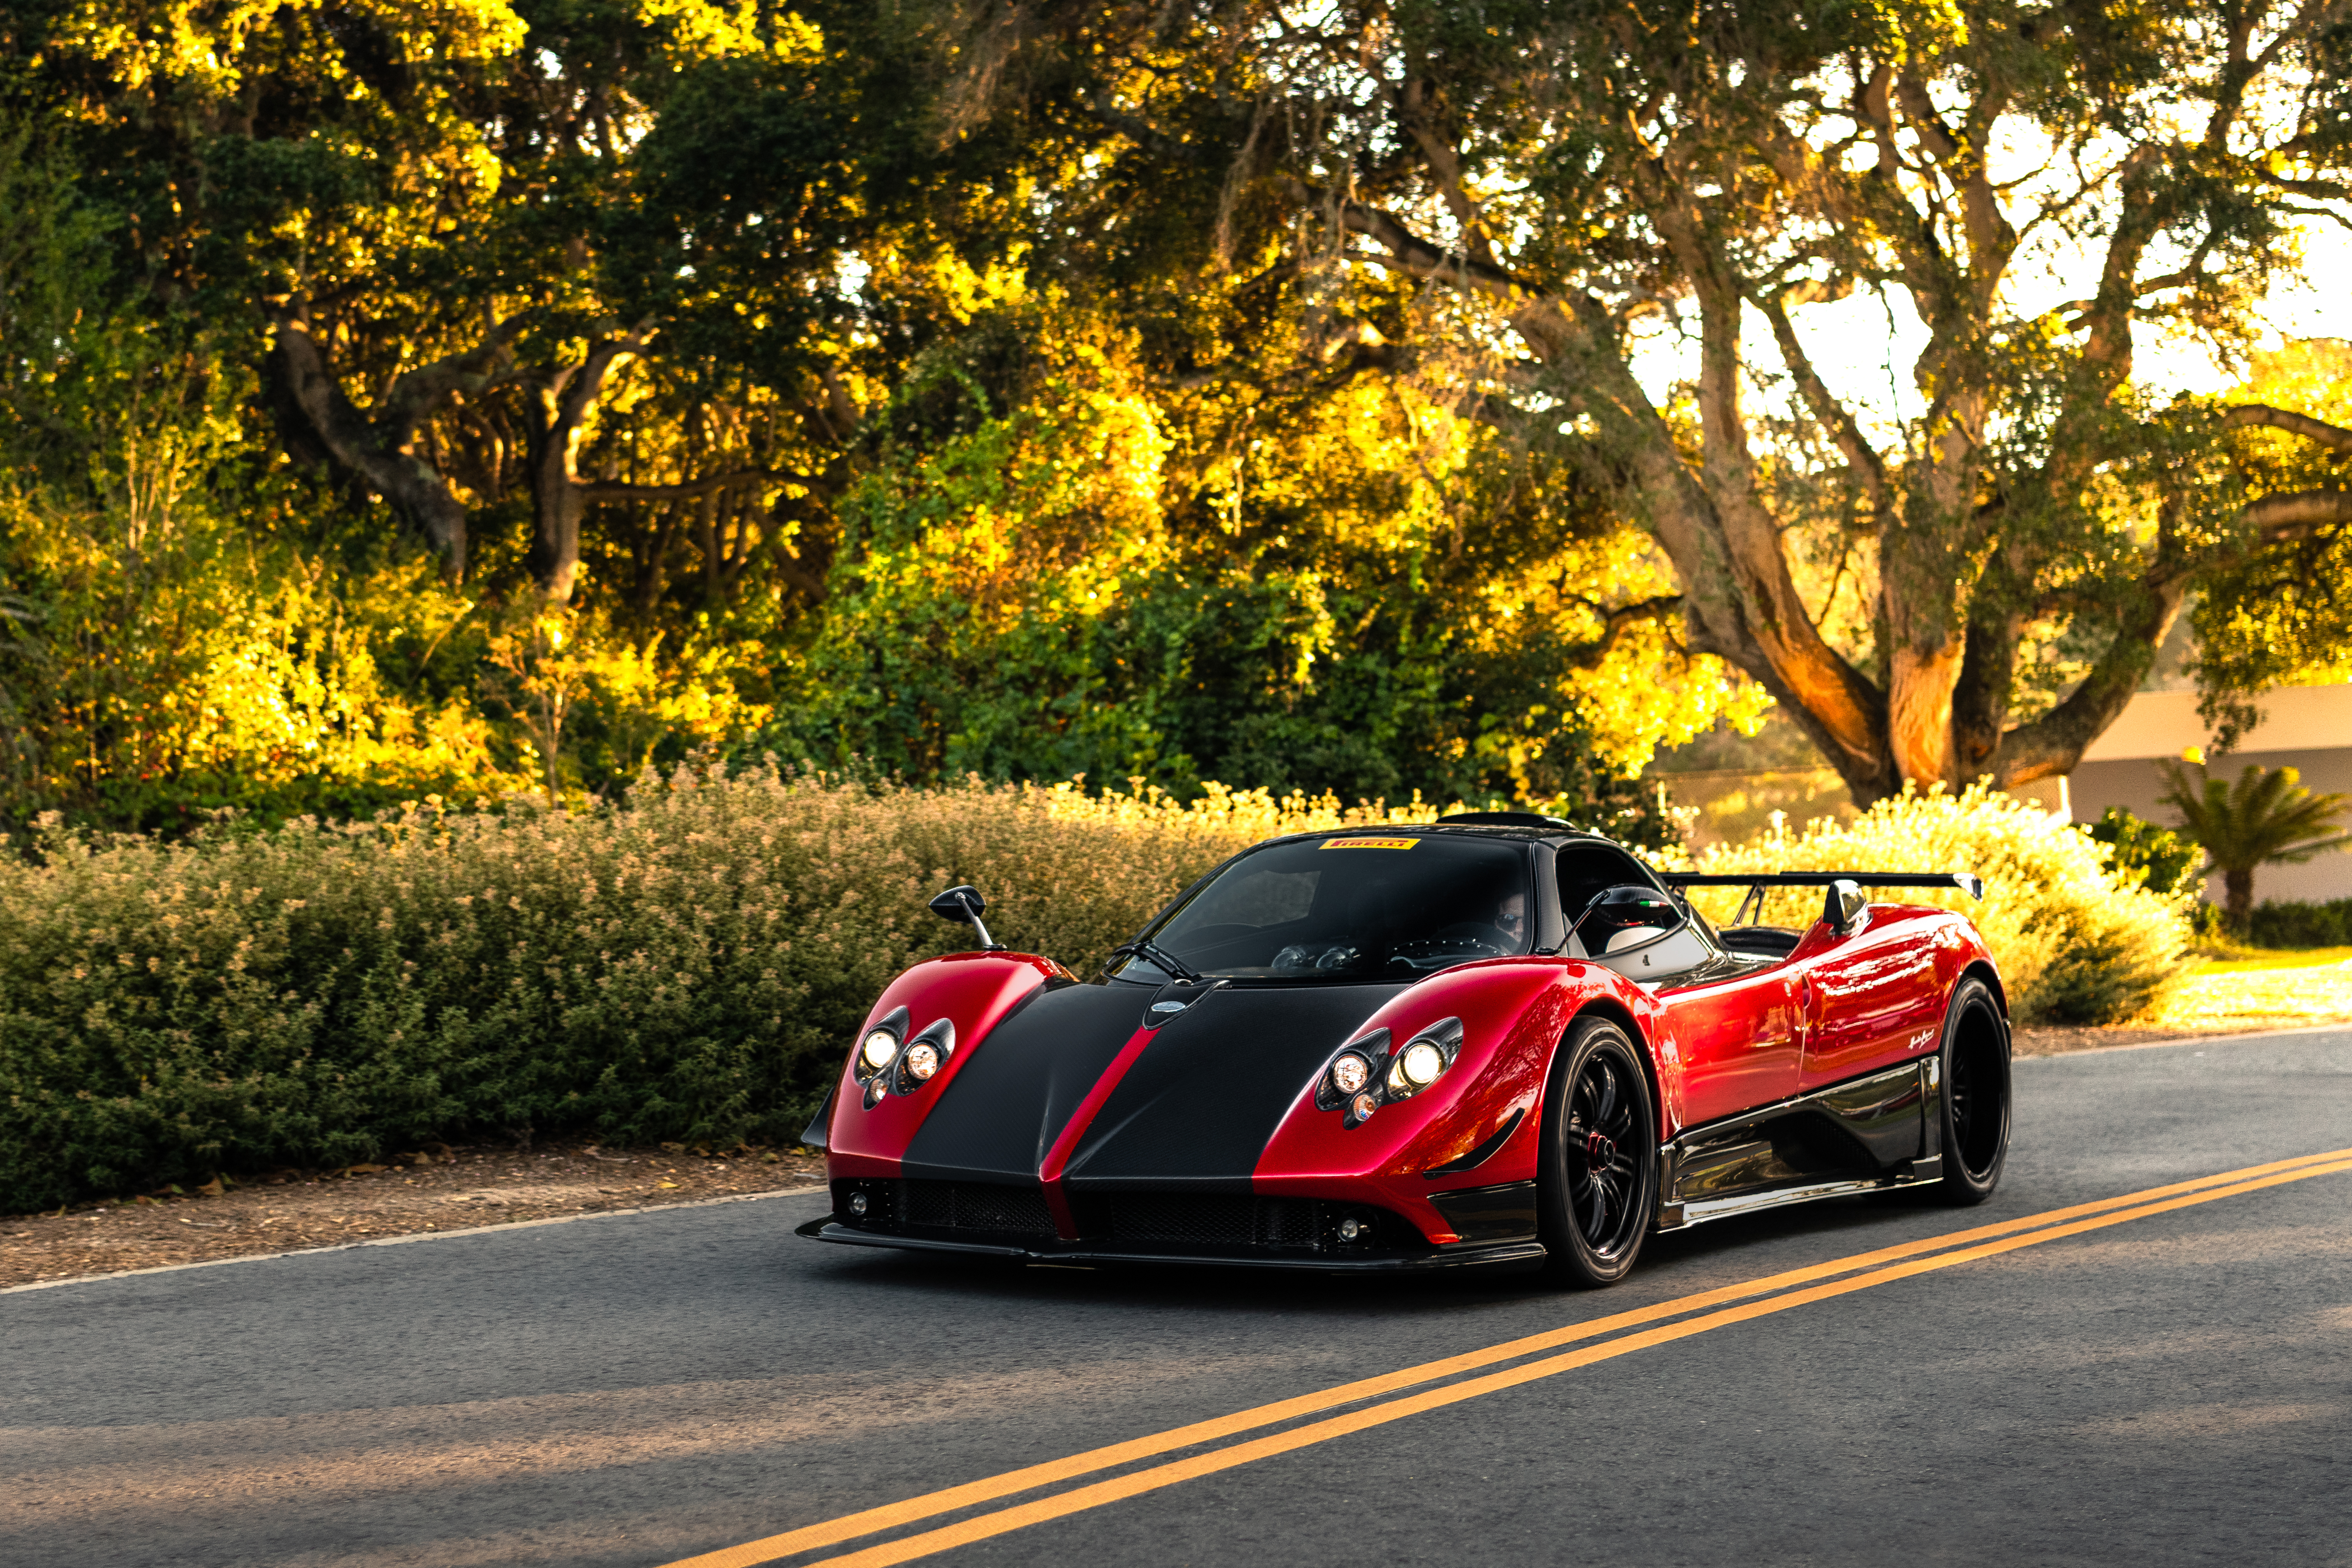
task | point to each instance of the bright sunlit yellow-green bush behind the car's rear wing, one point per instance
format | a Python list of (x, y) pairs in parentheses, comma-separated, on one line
[(2076, 939)]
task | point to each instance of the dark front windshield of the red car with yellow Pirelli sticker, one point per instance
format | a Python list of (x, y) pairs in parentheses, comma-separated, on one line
[(1354, 909)]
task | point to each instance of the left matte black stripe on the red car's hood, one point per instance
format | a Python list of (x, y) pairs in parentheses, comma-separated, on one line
[(1005, 1106)]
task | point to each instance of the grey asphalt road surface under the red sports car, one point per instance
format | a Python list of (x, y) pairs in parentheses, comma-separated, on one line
[(636, 1391)]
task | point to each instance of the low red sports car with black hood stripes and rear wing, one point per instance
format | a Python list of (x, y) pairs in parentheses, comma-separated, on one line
[(1490, 1040)]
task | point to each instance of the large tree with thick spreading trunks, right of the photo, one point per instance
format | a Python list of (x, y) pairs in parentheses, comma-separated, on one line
[(1584, 177)]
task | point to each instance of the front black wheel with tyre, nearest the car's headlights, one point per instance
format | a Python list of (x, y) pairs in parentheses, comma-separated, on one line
[(1598, 1186)]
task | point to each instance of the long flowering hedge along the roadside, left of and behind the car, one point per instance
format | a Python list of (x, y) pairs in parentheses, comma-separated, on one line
[(681, 970)]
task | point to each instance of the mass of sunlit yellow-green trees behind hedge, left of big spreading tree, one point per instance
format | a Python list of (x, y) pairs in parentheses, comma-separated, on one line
[(497, 398)]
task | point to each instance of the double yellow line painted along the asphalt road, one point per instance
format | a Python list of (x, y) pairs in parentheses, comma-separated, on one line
[(1777, 1292)]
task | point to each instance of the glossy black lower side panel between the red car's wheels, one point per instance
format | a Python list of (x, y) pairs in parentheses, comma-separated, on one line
[(1871, 1134)]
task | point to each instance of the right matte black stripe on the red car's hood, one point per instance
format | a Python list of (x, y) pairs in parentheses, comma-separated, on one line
[(1215, 1085)]
